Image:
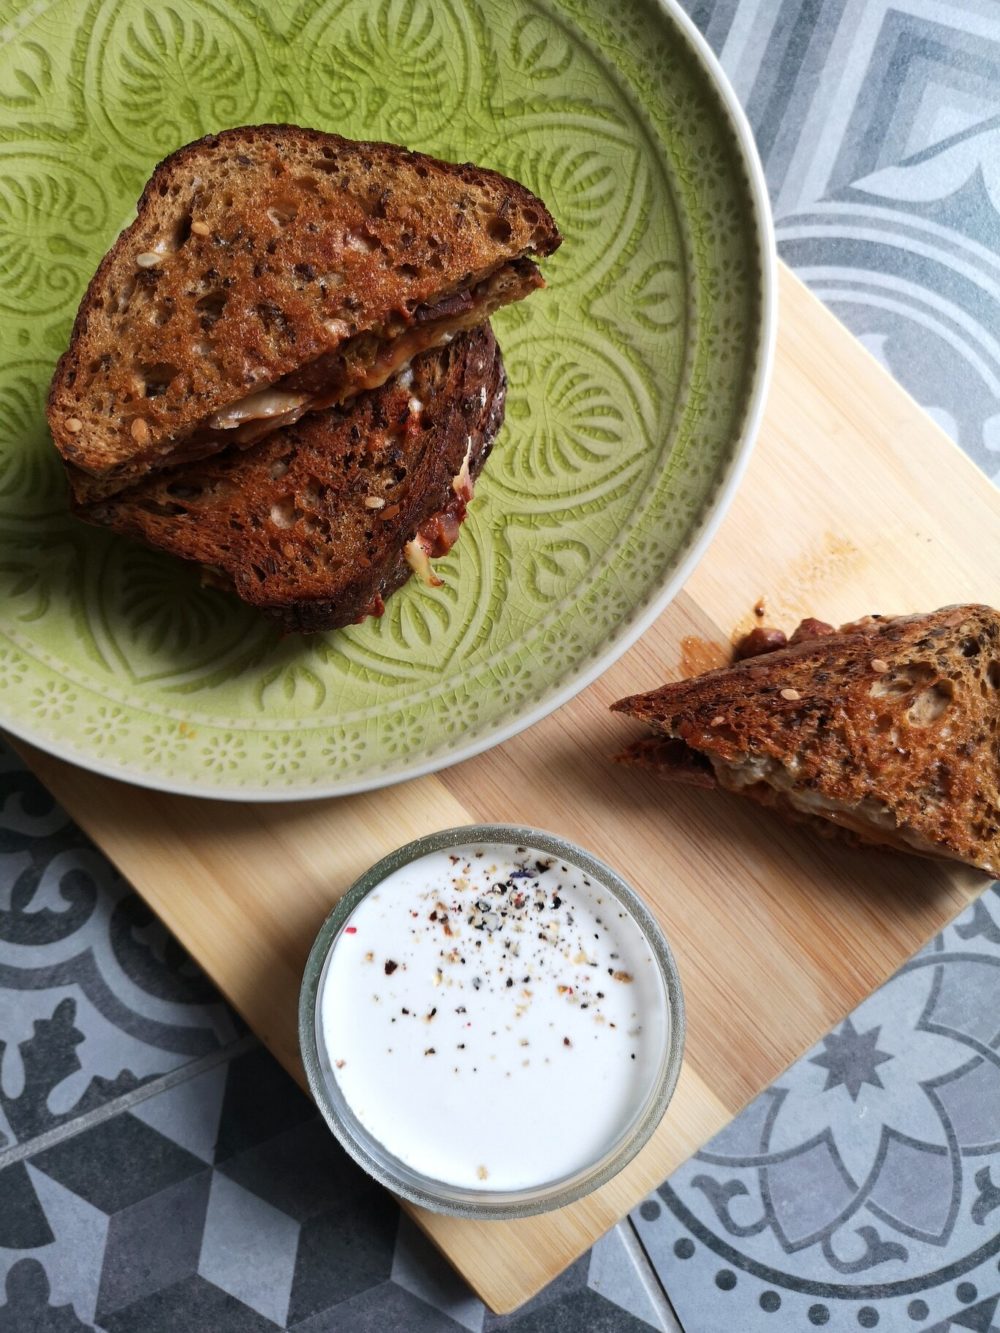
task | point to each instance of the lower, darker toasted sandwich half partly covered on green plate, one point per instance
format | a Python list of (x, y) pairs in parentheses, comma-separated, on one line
[(322, 521)]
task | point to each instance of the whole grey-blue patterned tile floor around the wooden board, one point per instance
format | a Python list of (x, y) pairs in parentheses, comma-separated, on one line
[(158, 1171)]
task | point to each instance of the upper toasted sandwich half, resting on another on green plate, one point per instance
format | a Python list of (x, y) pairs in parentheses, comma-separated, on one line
[(273, 271)]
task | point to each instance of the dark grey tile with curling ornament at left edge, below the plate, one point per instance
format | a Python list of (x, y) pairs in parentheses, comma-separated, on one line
[(95, 998)]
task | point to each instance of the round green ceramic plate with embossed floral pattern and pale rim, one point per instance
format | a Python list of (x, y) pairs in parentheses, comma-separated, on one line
[(637, 379)]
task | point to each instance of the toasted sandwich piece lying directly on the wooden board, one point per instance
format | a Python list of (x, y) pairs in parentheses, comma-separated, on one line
[(887, 728)]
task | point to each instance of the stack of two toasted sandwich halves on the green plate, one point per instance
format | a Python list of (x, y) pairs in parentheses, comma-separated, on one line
[(285, 370)]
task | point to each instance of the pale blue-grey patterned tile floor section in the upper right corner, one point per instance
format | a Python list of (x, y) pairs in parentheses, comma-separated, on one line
[(878, 126)]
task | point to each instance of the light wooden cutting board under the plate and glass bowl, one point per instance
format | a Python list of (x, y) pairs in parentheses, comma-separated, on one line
[(855, 502)]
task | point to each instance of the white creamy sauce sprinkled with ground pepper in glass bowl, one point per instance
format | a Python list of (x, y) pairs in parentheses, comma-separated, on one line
[(494, 1018)]
